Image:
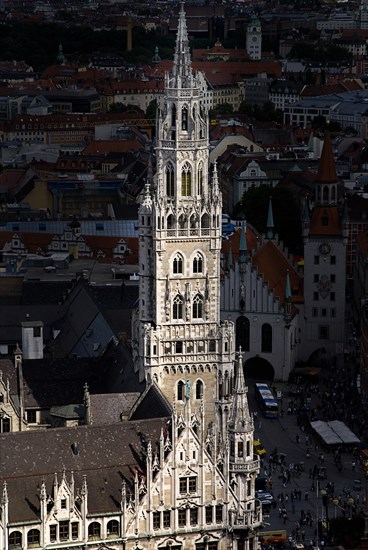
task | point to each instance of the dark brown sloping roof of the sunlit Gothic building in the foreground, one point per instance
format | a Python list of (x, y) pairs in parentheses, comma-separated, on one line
[(107, 455)]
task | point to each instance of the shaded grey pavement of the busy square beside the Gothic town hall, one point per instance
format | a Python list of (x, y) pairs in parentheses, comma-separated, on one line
[(282, 434)]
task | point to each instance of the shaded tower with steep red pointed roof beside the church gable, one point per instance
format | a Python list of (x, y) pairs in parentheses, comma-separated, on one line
[(325, 233)]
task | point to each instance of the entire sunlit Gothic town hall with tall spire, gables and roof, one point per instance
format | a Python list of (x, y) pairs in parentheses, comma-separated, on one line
[(180, 471)]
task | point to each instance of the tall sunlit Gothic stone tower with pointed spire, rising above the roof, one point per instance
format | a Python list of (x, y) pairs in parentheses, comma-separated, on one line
[(179, 342)]
